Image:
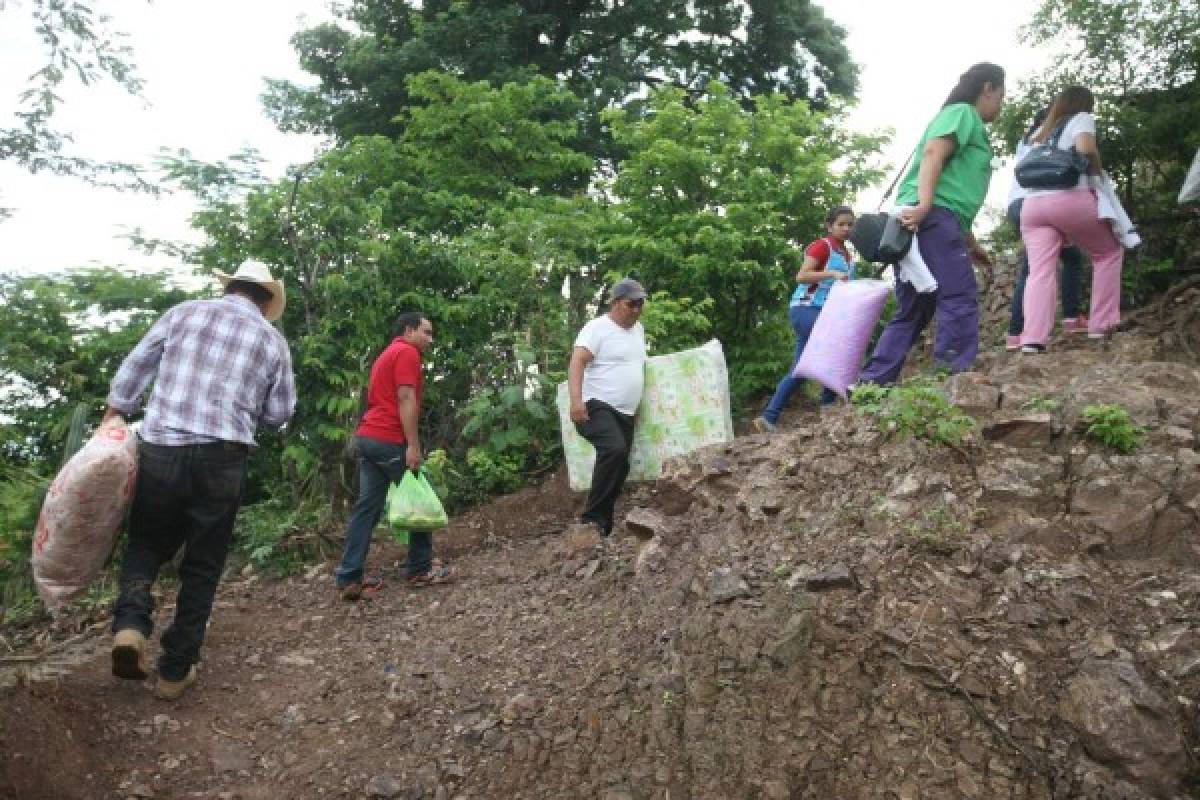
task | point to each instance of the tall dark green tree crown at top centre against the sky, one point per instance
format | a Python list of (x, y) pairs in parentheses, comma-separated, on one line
[(603, 52)]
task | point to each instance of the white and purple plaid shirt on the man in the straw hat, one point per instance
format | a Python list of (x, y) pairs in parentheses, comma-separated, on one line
[(219, 371)]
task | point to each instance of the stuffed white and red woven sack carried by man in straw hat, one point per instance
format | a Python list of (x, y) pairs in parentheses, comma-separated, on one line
[(82, 514)]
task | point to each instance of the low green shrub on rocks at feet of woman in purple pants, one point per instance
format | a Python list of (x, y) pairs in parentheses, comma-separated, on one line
[(917, 408)]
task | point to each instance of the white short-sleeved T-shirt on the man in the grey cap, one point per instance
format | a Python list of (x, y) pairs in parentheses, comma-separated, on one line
[(616, 374)]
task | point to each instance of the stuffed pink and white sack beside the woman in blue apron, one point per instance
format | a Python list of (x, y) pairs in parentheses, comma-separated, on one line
[(833, 356)]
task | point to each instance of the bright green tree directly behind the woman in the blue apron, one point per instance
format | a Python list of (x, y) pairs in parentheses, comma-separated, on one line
[(717, 203)]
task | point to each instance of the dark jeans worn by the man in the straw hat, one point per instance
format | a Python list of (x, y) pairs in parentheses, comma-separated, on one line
[(187, 496)]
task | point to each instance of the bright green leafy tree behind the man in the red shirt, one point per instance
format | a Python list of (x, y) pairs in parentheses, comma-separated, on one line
[(476, 216)]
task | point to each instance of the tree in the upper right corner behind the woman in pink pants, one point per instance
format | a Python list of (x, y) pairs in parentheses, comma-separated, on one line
[(1142, 59)]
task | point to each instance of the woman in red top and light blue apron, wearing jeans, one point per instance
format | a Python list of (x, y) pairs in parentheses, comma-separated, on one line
[(826, 261)]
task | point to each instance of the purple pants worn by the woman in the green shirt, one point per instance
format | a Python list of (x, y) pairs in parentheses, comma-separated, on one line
[(956, 305)]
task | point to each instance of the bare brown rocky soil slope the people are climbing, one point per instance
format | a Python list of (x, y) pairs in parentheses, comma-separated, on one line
[(824, 613)]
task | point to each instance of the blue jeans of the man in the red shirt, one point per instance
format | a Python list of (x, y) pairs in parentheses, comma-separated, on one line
[(381, 465)]
